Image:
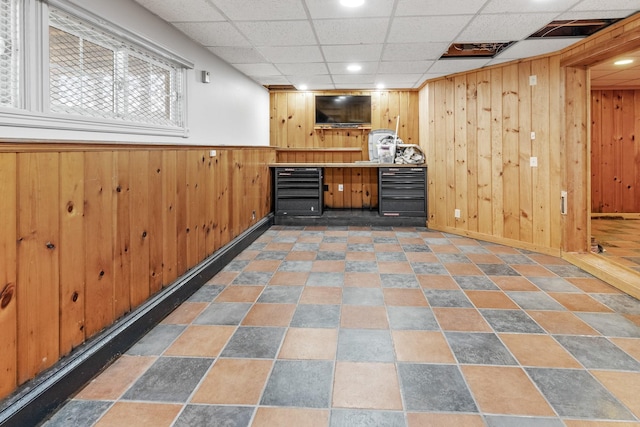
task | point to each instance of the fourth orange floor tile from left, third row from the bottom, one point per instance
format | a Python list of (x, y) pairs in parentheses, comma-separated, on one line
[(539, 350)]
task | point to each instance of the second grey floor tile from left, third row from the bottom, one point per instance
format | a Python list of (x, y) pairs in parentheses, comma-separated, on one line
[(254, 342)]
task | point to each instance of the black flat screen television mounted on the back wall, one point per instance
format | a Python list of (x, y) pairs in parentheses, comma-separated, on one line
[(343, 110)]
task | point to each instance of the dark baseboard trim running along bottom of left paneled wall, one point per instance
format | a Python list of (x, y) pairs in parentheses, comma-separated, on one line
[(34, 401)]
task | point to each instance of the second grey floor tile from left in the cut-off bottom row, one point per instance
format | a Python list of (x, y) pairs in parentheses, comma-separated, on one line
[(214, 416)]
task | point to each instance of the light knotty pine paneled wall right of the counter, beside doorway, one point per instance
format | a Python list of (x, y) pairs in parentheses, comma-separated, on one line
[(476, 132)]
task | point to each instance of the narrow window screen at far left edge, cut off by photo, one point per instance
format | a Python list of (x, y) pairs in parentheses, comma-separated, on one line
[(9, 53)]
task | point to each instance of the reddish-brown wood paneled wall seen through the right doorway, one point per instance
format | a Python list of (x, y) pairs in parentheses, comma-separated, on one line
[(615, 151)]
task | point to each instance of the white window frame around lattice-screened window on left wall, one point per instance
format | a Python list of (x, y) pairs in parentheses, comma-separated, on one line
[(34, 111)]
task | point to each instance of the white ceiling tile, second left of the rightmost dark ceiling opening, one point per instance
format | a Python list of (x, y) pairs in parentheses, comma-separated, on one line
[(428, 29)]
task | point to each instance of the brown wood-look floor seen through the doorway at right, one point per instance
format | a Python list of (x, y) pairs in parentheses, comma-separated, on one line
[(620, 238)]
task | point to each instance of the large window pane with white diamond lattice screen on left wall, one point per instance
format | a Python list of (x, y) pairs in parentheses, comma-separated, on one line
[(92, 73)]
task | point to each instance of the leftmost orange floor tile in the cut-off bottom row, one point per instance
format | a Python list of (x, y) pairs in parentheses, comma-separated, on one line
[(138, 413)]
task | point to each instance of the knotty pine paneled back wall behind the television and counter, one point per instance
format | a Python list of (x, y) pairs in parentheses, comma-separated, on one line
[(293, 130)]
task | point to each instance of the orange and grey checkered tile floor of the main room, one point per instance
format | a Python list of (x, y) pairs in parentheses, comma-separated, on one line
[(378, 326)]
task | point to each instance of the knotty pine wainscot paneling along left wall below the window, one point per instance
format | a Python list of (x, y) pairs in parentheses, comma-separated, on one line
[(87, 233)]
